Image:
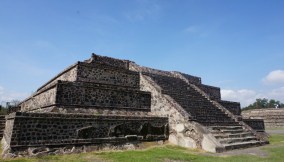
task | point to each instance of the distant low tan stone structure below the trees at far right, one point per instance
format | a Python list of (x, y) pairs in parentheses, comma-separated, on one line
[(273, 118)]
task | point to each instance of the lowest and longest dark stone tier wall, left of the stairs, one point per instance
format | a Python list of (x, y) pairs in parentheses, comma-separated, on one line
[(37, 129)]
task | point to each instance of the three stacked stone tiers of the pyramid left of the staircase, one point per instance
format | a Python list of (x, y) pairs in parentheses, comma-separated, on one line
[(95, 102)]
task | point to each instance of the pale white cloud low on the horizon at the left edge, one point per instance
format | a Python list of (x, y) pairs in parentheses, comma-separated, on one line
[(6, 95)]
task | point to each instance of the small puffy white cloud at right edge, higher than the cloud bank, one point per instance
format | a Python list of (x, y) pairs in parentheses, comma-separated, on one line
[(274, 77)]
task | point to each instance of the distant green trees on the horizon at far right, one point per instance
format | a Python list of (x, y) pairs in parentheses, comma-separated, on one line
[(264, 103)]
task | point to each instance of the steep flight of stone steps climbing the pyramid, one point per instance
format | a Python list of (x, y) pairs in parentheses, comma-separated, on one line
[(224, 126)]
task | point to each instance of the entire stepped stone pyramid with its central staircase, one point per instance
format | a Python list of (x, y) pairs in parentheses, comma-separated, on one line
[(110, 102)]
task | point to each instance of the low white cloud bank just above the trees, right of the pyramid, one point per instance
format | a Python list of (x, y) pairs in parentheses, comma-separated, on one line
[(246, 96)]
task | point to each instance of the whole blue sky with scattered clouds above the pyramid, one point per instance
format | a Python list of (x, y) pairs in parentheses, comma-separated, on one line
[(236, 45)]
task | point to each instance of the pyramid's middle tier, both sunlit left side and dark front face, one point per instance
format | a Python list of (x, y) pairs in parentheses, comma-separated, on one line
[(91, 95)]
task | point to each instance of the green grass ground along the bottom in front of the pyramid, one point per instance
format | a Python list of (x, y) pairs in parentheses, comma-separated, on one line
[(167, 153)]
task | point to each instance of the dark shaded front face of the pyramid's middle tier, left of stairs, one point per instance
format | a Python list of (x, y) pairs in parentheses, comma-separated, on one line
[(99, 95)]
